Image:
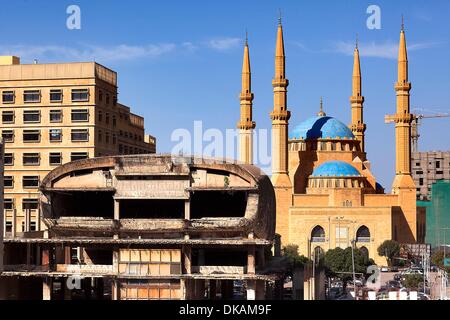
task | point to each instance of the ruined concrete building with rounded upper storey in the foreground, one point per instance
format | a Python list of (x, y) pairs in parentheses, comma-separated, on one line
[(146, 227)]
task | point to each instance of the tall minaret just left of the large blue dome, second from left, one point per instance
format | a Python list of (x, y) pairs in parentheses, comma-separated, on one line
[(280, 117)]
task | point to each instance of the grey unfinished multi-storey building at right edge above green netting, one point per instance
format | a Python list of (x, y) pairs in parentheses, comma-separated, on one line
[(427, 168)]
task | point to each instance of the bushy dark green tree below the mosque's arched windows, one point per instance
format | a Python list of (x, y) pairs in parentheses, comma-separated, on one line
[(338, 262)]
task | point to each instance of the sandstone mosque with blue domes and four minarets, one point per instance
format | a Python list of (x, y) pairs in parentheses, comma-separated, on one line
[(326, 195)]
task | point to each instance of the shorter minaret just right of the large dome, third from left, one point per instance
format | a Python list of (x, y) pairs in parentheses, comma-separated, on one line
[(357, 126)]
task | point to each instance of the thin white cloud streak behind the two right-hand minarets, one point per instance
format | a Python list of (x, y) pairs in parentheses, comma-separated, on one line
[(388, 49)]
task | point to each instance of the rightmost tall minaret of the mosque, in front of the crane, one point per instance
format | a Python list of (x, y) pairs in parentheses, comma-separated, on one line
[(402, 119)]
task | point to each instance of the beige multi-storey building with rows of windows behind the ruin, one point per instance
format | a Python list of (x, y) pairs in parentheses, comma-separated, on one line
[(52, 114)]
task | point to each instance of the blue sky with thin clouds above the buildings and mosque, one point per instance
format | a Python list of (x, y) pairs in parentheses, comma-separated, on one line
[(180, 61)]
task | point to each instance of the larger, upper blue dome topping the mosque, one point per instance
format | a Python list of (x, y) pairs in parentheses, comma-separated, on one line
[(321, 127)]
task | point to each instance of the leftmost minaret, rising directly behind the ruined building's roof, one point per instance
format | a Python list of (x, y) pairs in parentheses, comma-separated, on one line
[(245, 124)]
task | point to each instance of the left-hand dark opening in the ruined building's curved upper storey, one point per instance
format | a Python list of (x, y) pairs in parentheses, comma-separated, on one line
[(83, 204)]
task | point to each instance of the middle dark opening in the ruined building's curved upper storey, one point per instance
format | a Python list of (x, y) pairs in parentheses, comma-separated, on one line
[(152, 209)]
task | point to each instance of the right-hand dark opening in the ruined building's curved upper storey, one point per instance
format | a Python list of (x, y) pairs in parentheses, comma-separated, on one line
[(215, 204)]
